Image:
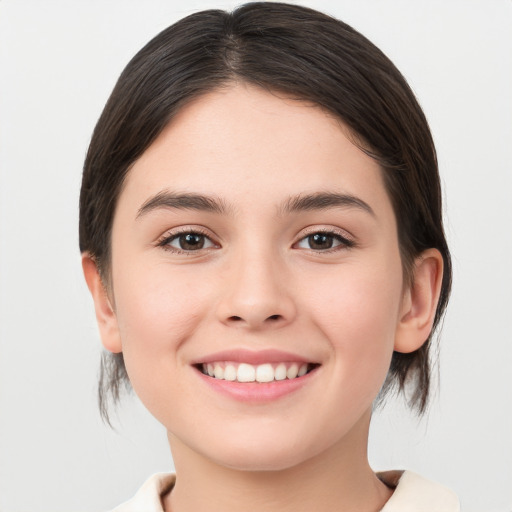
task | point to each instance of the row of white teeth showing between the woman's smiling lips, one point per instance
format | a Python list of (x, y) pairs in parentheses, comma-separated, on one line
[(267, 372)]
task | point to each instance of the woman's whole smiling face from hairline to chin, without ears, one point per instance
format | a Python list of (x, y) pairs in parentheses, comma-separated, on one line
[(256, 280)]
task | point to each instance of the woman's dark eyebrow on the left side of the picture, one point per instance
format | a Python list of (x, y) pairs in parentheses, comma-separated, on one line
[(182, 201)]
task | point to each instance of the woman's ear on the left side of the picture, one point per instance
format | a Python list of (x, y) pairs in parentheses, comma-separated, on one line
[(105, 314)]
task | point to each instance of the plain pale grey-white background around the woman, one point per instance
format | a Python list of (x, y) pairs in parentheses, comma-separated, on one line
[(58, 62)]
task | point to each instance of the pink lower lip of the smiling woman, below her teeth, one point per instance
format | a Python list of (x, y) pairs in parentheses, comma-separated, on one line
[(257, 392)]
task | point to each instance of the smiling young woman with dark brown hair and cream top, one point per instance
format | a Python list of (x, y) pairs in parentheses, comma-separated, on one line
[(261, 230)]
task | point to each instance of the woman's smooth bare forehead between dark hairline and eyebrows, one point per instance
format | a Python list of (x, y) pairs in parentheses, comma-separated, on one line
[(242, 140)]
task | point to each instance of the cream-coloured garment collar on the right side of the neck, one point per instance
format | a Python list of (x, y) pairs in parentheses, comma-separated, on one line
[(414, 493)]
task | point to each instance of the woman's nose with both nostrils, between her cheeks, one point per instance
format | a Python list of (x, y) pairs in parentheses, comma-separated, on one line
[(256, 293)]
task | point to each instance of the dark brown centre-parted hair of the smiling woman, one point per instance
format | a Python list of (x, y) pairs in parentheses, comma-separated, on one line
[(302, 53)]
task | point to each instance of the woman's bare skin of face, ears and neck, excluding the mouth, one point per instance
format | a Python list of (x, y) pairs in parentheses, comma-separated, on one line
[(258, 284)]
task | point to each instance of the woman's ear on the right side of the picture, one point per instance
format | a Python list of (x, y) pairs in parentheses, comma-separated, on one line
[(420, 302)]
